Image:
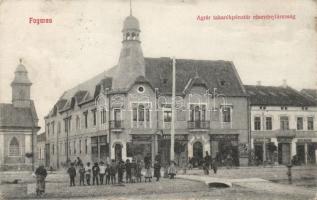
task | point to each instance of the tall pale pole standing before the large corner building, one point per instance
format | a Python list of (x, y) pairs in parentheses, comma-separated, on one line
[(173, 110)]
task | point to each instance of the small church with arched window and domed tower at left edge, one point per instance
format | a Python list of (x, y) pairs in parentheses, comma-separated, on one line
[(18, 125)]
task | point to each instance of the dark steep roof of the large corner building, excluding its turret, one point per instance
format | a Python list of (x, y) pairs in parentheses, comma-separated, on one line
[(158, 73)]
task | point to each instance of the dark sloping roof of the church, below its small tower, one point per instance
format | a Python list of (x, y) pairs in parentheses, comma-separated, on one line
[(11, 116)]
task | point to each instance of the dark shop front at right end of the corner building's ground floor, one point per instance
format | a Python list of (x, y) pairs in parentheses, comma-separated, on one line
[(225, 149)]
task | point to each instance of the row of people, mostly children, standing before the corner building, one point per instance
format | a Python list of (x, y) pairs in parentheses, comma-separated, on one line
[(113, 173)]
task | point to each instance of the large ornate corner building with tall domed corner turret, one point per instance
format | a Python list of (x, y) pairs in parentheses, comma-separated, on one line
[(126, 112)]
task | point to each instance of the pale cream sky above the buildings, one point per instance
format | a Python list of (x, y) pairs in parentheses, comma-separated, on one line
[(84, 39)]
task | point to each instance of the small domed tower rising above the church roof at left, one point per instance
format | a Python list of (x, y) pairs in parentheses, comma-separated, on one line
[(21, 87)]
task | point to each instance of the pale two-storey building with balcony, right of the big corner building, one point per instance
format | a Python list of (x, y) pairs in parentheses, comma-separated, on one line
[(283, 125)]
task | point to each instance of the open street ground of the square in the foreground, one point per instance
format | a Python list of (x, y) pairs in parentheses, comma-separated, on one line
[(58, 188)]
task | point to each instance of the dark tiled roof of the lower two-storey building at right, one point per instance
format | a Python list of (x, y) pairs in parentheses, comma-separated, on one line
[(277, 96)]
